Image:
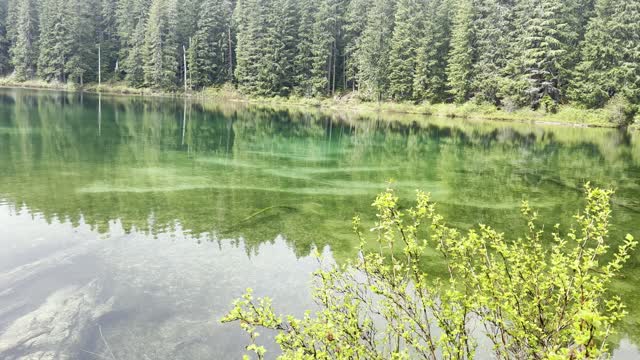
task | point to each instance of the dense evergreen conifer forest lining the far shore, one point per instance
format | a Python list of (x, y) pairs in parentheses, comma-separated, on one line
[(509, 53)]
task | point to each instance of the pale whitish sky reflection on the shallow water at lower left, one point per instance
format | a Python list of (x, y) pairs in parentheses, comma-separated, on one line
[(67, 291)]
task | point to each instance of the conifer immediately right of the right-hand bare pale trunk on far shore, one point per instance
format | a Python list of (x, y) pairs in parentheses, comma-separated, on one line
[(209, 49)]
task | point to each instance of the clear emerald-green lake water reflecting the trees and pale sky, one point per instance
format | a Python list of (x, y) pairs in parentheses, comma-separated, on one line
[(142, 219)]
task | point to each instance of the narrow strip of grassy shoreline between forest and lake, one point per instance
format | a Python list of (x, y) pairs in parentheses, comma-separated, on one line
[(566, 115)]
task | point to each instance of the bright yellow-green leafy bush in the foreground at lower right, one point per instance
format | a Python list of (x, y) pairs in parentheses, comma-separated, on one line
[(533, 298)]
